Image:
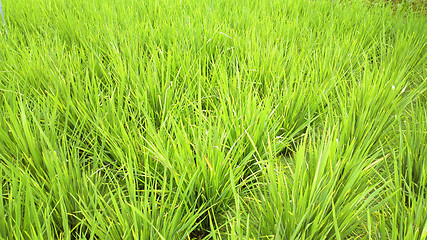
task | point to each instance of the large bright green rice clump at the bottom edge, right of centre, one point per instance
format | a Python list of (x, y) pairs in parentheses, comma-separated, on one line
[(323, 193)]
